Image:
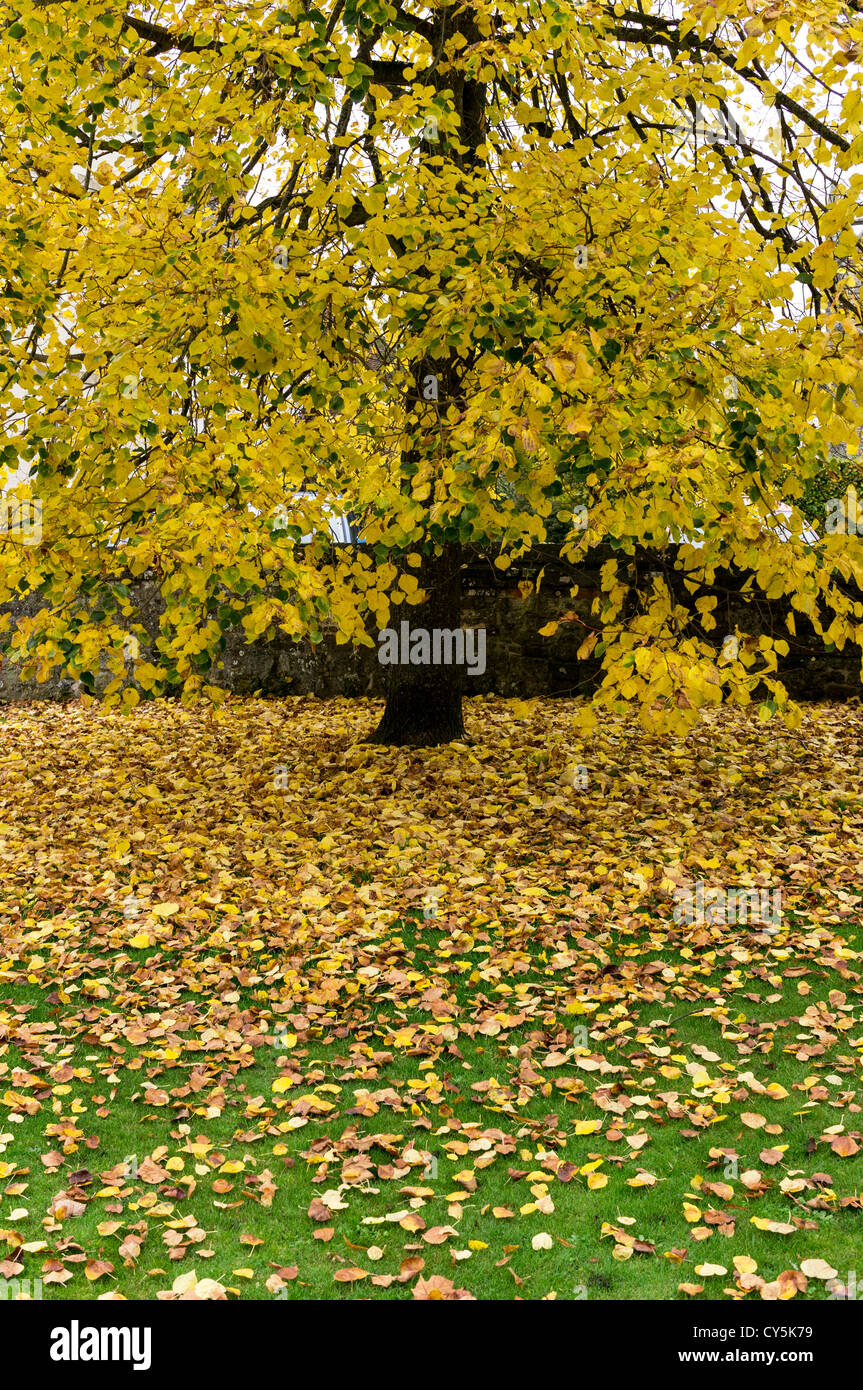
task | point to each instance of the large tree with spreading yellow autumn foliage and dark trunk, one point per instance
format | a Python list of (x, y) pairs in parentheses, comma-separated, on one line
[(454, 269)]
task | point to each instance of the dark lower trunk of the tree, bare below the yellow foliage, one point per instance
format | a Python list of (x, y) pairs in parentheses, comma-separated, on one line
[(425, 703)]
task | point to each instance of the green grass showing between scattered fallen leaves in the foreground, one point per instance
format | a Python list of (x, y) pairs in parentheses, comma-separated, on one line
[(582, 1261)]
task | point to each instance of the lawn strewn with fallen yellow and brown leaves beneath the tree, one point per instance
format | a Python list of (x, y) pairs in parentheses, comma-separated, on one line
[(238, 1061)]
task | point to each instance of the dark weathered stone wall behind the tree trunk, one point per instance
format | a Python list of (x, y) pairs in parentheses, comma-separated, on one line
[(519, 661)]
